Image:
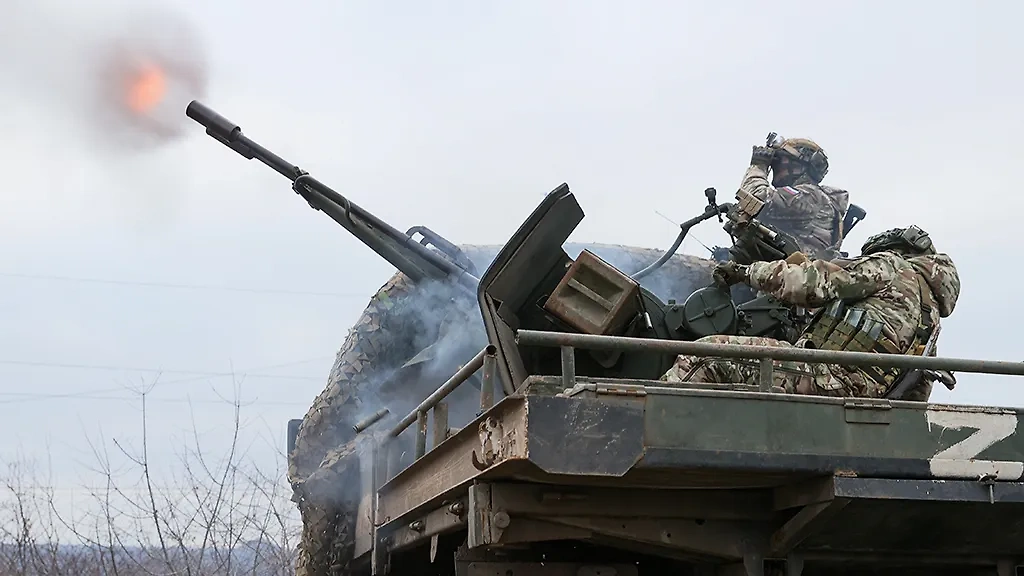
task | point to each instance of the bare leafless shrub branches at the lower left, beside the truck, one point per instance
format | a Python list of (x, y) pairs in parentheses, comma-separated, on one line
[(212, 514)]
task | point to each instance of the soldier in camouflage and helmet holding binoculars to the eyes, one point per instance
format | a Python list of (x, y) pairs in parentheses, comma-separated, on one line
[(795, 201)]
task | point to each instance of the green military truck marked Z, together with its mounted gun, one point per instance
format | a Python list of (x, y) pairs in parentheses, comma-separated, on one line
[(582, 462)]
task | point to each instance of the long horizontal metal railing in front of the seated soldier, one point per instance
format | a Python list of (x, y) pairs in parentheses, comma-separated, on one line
[(569, 342)]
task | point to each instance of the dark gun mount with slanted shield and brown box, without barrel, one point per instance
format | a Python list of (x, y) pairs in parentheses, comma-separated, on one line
[(537, 286)]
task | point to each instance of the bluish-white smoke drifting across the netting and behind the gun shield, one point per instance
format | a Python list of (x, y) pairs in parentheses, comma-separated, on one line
[(447, 333)]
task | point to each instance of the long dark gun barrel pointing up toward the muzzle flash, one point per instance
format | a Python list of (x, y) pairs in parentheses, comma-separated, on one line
[(402, 251)]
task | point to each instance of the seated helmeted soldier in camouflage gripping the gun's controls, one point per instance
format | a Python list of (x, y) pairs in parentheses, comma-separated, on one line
[(890, 300)]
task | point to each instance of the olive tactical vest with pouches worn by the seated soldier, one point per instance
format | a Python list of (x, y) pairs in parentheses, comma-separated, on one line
[(839, 326)]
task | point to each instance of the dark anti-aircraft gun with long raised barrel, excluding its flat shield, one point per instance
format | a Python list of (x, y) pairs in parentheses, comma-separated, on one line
[(574, 293)]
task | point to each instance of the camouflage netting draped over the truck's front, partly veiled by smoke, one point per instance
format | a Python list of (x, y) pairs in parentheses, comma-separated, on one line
[(388, 346)]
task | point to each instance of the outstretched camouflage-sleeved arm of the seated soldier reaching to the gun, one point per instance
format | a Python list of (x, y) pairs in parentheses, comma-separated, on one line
[(815, 283)]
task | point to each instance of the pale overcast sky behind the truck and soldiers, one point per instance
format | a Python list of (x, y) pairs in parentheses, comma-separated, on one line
[(459, 116)]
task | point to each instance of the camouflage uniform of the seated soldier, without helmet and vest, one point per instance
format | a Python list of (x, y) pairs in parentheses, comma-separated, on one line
[(893, 289)]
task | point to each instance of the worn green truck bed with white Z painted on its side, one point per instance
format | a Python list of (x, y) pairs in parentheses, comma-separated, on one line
[(717, 476)]
